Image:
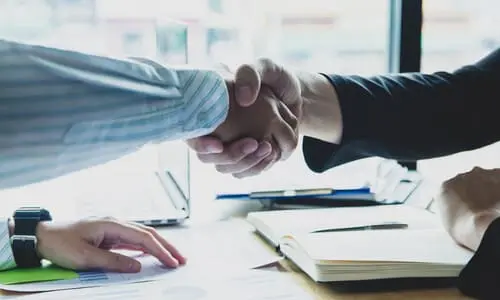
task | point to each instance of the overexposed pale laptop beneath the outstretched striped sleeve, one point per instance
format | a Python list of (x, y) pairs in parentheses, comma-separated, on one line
[(150, 186)]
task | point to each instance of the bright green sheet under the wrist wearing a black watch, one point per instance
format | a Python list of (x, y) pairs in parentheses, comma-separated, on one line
[(47, 272)]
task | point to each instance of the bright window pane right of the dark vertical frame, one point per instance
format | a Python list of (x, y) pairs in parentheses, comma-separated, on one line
[(456, 33)]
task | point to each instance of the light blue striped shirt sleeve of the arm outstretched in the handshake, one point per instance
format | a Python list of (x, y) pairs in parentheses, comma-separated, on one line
[(63, 111)]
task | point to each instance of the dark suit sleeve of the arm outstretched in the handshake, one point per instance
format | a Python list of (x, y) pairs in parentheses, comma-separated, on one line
[(413, 116)]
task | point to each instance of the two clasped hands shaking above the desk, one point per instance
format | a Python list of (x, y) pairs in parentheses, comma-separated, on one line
[(261, 128)]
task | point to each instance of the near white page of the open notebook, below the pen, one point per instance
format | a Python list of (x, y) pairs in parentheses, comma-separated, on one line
[(432, 246)]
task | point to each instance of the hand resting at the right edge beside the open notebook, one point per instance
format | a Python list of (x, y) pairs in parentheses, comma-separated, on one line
[(469, 203)]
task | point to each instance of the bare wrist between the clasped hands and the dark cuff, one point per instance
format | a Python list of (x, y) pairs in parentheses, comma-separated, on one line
[(321, 115)]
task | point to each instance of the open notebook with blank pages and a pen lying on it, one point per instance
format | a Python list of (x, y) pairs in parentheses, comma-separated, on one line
[(423, 249)]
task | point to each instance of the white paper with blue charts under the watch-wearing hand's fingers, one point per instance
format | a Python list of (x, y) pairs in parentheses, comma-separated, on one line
[(227, 247)]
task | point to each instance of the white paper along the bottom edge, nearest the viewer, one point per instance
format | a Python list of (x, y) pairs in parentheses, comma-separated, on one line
[(244, 285)]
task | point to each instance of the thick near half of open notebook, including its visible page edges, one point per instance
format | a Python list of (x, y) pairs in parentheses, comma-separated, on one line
[(376, 254)]
